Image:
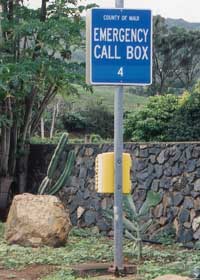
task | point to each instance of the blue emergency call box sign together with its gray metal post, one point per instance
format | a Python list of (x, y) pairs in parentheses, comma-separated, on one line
[(119, 52)]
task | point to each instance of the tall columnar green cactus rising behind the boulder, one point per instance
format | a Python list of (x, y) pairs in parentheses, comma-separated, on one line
[(46, 185)]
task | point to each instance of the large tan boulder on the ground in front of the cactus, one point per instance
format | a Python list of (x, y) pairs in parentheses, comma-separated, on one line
[(37, 220)]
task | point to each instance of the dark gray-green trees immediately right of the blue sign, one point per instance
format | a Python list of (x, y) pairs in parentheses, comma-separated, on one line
[(176, 57)]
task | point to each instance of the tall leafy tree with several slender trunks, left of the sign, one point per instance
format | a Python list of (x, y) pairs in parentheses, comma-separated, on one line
[(35, 66)]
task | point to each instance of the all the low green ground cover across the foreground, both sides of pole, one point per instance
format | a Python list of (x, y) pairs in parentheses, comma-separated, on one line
[(83, 246)]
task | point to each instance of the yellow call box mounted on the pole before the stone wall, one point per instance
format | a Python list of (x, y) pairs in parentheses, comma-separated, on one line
[(104, 173)]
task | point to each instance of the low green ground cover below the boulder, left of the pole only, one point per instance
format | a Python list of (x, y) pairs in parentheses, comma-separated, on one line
[(78, 250)]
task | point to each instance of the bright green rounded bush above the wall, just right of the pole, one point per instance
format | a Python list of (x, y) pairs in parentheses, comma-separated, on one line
[(152, 122)]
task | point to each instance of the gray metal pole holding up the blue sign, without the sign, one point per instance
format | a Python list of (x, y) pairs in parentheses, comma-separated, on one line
[(118, 150)]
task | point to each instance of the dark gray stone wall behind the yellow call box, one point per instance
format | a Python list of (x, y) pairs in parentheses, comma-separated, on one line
[(173, 169)]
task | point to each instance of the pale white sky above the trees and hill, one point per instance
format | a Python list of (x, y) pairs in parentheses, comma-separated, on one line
[(186, 9)]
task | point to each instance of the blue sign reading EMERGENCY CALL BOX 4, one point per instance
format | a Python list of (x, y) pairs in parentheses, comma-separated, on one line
[(120, 46)]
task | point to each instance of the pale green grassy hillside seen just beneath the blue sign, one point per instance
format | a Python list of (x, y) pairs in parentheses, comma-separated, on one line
[(105, 94)]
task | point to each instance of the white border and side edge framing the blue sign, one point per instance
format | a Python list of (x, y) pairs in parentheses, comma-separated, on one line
[(89, 50)]
